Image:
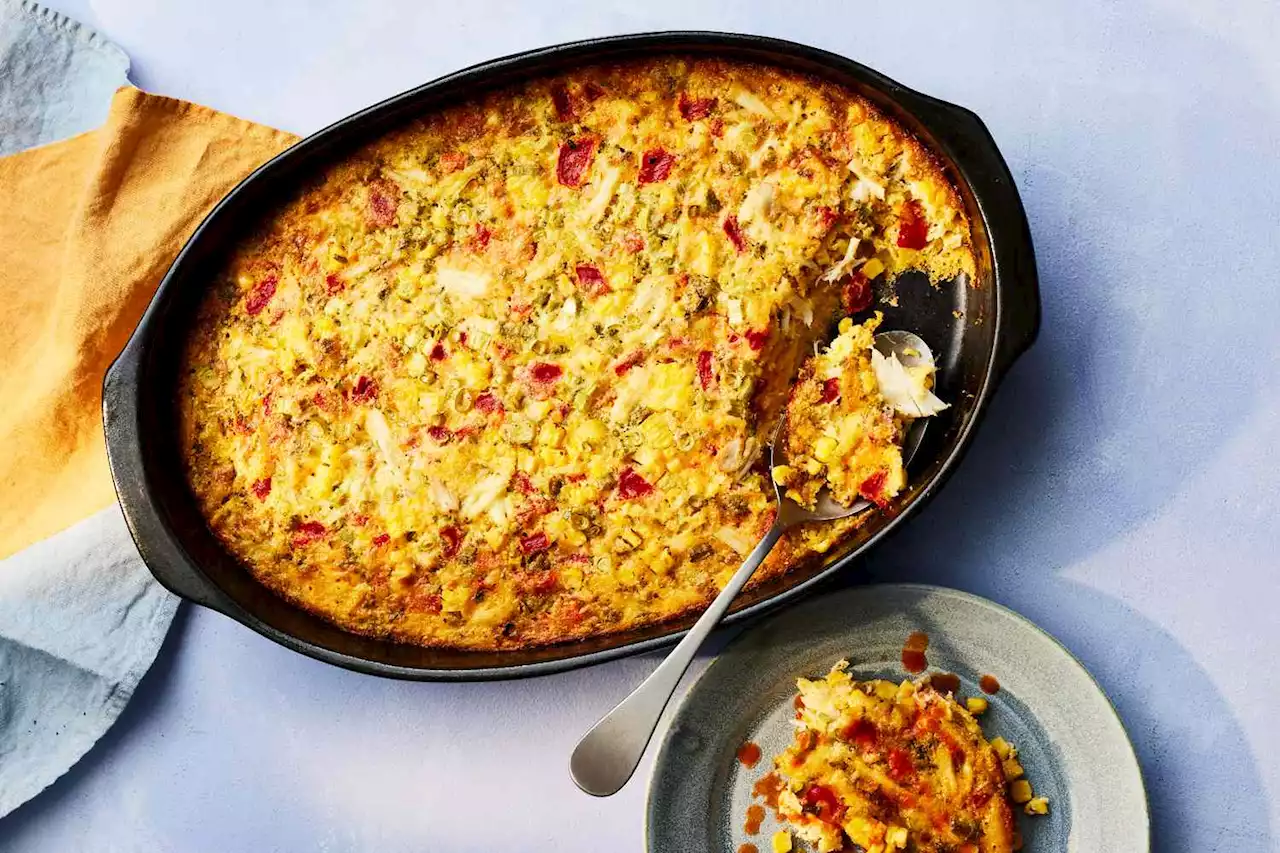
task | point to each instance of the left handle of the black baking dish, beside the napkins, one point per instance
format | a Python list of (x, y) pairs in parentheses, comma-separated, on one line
[(159, 548)]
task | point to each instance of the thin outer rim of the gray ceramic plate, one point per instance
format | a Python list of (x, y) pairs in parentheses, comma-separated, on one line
[(817, 601)]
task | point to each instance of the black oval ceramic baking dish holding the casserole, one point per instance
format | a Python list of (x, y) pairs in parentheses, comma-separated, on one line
[(976, 330)]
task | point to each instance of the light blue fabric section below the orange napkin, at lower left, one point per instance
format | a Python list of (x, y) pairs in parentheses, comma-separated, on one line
[(81, 622)]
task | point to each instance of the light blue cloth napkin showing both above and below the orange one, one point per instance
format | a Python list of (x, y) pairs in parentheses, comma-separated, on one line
[(81, 618)]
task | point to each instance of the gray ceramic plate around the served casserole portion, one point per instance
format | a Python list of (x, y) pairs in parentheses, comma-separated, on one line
[(1069, 737)]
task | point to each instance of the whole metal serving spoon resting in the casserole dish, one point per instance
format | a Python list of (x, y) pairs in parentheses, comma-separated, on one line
[(609, 755)]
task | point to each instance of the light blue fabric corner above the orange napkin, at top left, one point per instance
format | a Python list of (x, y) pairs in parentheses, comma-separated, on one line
[(57, 76)]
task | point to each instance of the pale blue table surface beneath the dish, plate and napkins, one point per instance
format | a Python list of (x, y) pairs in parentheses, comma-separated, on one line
[(1122, 492)]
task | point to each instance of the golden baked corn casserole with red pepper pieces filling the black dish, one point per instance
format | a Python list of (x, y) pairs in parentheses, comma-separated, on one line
[(502, 378)]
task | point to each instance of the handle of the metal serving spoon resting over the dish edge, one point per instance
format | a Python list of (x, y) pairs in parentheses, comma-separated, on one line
[(609, 755)]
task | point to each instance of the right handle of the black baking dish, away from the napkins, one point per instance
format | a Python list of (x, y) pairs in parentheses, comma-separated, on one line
[(972, 148)]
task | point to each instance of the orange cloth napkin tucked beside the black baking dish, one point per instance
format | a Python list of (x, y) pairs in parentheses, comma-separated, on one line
[(89, 229)]
